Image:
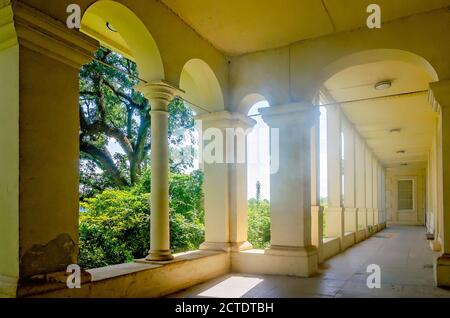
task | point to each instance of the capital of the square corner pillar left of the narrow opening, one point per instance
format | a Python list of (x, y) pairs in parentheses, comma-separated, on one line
[(226, 119)]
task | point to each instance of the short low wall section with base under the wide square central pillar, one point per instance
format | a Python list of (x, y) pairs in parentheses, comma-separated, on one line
[(277, 260)]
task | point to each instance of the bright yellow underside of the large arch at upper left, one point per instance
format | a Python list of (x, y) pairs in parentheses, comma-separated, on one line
[(116, 26)]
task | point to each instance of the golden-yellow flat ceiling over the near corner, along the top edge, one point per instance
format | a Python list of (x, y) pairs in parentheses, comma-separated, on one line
[(240, 26)]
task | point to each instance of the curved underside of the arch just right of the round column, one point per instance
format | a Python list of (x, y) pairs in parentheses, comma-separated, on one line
[(201, 87)]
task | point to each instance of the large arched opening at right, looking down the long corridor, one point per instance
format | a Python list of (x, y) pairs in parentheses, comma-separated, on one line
[(376, 127)]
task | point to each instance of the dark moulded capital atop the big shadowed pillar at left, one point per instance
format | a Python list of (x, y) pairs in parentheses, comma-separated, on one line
[(40, 33)]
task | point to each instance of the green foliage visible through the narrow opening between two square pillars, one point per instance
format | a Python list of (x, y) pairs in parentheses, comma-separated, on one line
[(259, 223)]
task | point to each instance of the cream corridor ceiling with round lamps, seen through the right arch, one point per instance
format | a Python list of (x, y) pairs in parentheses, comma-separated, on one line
[(374, 113)]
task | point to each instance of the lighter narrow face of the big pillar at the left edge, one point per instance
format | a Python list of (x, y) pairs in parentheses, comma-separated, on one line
[(9, 162)]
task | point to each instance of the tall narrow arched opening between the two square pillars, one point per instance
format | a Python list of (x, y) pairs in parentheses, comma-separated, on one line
[(258, 173)]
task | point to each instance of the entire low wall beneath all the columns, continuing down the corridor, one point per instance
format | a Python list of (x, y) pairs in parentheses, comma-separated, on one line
[(150, 279)]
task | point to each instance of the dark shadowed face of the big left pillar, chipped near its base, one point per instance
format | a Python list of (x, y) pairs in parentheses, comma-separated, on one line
[(49, 159)]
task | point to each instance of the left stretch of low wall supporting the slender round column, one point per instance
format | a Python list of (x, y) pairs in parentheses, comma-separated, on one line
[(147, 280)]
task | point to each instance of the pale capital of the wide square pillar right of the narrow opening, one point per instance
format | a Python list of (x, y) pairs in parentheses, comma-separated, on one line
[(296, 113)]
